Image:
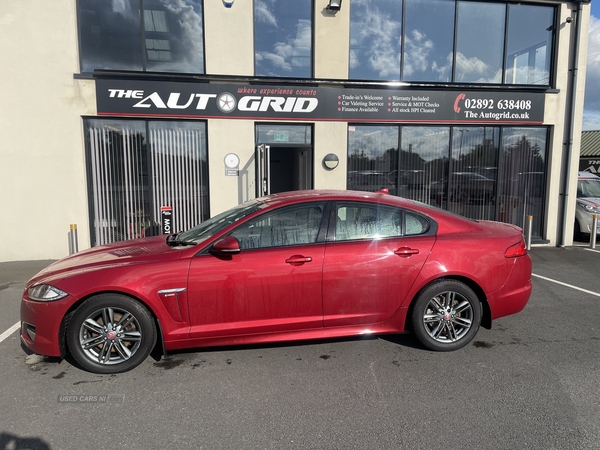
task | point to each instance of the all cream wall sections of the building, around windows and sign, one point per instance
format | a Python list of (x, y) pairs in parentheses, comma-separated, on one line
[(42, 162)]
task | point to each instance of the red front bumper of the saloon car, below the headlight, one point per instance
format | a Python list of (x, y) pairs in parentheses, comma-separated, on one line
[(41, 325)]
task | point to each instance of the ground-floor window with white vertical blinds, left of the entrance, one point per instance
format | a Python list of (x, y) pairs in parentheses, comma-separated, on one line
[(136, 167)]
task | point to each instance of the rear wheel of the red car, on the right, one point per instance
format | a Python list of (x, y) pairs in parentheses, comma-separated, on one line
[(446, 316)]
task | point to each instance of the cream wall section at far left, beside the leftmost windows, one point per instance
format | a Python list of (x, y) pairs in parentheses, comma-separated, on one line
[(42, 182)]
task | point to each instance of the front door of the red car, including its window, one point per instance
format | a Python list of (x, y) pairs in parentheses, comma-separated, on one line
[(273, 284)]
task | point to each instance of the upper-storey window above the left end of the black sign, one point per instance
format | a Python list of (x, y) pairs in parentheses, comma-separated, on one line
[(140, 35)]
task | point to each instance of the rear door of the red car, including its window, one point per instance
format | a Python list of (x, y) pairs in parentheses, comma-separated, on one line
[(374, 259)]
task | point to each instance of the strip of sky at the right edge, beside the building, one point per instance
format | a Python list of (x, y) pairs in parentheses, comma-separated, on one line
[(591, 113)]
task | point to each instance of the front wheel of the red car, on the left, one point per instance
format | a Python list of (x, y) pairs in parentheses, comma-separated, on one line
[(111, 333)]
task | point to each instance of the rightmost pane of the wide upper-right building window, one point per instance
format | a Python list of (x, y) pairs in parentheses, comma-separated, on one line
[(529, 44)]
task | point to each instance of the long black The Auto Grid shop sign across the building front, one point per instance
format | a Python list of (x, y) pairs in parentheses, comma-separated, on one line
[(203, 100)]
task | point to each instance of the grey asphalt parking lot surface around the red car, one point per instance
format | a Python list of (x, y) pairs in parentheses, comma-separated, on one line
[(529, 383)]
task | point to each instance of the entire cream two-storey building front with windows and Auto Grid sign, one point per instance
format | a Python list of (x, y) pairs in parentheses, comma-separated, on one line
[(117, 113)]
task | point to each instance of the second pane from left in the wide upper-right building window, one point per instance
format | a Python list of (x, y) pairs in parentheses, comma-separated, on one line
[(428, 40)]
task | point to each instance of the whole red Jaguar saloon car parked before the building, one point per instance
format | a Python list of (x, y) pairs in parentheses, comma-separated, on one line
[(292, 266)]
